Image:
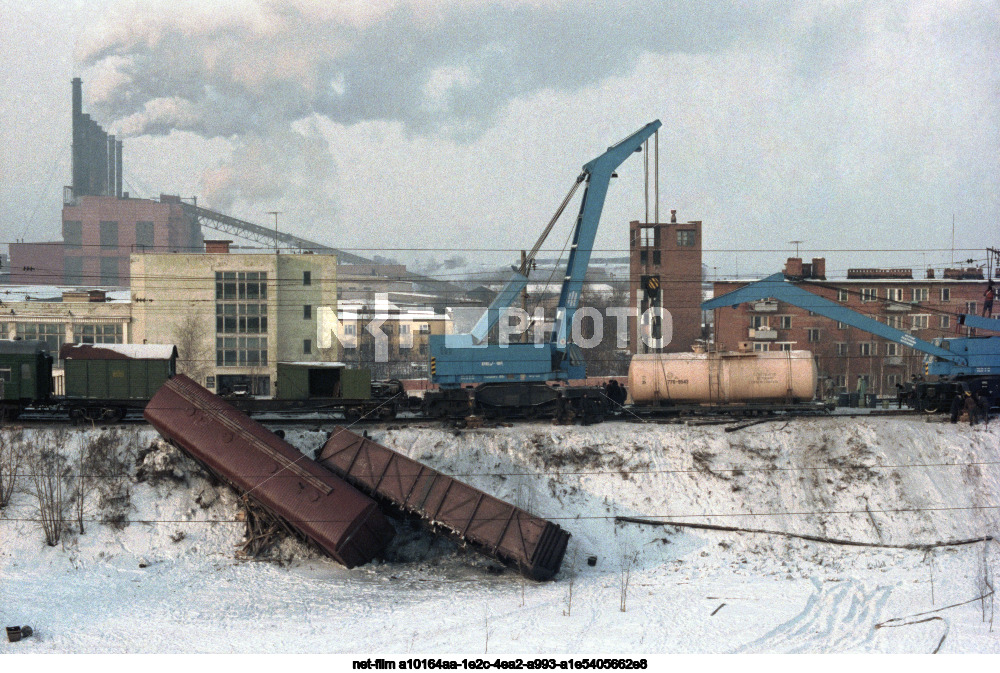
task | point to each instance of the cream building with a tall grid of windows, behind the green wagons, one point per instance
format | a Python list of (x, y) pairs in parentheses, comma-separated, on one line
[(233, 317)]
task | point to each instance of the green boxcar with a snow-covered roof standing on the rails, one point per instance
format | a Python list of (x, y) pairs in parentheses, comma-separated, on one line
[(103, 381)]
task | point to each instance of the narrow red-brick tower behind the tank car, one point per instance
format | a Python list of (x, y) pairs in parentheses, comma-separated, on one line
[(664, 273)]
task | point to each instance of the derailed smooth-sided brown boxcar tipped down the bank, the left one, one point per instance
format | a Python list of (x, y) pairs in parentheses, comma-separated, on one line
[(343, 522)]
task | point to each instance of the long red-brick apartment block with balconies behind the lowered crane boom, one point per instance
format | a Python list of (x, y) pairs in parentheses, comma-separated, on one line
[(928, 308)]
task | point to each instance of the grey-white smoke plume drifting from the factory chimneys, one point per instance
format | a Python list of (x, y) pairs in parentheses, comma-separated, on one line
[(251, 71)]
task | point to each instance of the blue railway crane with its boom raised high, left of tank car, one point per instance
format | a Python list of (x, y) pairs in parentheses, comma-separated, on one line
[(515, 374)]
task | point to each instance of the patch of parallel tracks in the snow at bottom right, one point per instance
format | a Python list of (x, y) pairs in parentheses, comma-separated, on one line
[(835, 619)]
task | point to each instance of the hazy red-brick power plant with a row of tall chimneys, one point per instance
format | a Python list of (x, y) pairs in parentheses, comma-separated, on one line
[(101, 224)]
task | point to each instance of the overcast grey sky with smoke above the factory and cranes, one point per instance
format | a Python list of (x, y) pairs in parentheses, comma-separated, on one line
[(456, 127)]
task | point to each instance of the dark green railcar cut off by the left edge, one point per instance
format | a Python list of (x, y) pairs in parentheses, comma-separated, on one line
[(25, 376)]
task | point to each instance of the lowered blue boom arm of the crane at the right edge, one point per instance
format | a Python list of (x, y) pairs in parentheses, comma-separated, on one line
[(777, 287)]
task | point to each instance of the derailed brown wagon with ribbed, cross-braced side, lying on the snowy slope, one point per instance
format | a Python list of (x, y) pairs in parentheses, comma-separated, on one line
[(533, 545)]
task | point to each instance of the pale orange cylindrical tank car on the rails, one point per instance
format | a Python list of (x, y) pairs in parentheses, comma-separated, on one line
[(721, 378)]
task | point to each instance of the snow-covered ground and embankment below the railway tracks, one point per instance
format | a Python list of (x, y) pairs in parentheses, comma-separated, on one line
[(173, 584)]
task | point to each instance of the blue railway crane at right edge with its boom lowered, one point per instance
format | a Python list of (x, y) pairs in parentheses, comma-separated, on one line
[(960, 363)]
